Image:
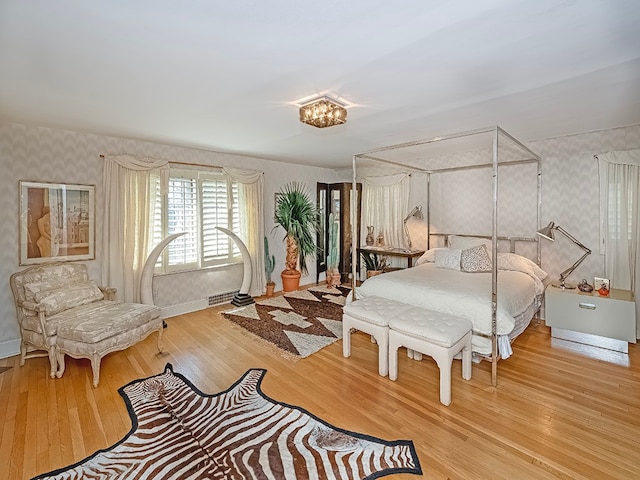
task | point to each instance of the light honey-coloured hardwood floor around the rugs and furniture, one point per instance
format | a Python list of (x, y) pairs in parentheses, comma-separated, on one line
[(560, 410)]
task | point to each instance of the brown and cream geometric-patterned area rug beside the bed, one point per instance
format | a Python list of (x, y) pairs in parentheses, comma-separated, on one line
[(300, 322)]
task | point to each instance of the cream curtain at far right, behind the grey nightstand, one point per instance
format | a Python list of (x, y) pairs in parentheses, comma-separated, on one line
[(619, 174)]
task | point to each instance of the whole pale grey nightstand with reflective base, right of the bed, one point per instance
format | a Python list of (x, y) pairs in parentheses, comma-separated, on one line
[(607, 322)]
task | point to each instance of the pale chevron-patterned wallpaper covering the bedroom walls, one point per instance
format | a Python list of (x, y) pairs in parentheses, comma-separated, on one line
[(569, 197)]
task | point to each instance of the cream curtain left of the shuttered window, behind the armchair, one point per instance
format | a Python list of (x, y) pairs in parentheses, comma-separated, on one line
[(127, 221)]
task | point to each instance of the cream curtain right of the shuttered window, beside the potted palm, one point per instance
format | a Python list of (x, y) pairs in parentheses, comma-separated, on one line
[(251, 202)]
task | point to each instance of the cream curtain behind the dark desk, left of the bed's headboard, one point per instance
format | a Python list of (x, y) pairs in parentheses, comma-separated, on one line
[(385, 203)]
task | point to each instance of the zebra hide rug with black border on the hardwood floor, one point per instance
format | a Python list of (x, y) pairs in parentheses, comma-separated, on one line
[(178, 432)]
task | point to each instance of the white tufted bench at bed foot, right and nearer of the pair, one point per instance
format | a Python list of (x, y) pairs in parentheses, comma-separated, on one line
[(439, 335)]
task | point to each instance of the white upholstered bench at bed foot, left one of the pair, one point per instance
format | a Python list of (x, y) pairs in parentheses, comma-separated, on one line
[(371, 315)]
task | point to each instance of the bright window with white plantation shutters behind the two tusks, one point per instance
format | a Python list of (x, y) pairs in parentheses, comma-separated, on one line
[(196, 202)]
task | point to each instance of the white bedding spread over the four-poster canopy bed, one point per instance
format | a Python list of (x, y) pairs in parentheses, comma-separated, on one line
[(466, 295)]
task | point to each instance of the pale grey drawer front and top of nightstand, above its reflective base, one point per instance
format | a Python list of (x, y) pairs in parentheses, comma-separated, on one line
[(612, 317)]
